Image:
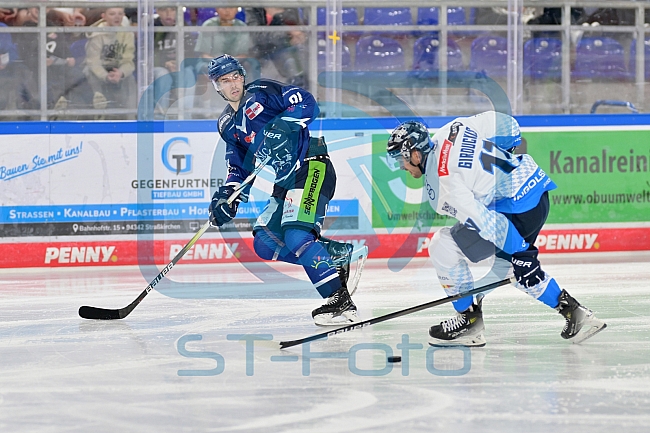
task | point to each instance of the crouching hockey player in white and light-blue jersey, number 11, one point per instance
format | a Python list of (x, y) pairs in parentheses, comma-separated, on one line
[(501, 203)]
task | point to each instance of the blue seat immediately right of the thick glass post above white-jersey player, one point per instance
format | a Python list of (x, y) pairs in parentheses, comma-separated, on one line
[(543, 58)]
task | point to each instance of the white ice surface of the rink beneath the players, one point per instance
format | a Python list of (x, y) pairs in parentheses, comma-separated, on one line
[(177, 364)]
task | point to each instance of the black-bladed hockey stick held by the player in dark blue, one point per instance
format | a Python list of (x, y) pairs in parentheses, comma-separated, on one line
[(108, 314)]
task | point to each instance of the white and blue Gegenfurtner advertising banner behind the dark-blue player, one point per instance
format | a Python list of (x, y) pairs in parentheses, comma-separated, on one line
[(93, 185)]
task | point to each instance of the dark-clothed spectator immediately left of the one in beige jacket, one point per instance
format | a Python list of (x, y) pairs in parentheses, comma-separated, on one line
[(66, 81)]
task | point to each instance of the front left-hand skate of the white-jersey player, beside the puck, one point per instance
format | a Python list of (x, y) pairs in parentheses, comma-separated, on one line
[(464, 329)]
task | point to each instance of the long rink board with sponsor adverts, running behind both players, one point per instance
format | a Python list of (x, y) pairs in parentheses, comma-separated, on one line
[(125, 193)]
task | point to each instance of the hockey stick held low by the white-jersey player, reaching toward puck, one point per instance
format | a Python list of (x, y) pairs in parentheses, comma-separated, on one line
[(363, 324)]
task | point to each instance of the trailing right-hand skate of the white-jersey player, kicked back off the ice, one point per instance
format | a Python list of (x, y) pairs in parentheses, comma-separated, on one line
[(581, 323)]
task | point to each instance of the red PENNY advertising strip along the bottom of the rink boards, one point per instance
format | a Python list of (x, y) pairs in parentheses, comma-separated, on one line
[(117, 253)]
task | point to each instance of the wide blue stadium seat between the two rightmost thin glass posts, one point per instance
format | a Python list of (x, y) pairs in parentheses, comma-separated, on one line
[(600, 58)]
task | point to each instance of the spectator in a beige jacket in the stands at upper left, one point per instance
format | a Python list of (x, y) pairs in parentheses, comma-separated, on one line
[(110, 63)]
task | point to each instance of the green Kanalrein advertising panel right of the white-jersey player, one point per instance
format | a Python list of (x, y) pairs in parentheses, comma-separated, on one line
[(602, 176)]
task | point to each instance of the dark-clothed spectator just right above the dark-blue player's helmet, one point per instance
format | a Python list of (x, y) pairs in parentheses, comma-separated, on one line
[(285, 50)]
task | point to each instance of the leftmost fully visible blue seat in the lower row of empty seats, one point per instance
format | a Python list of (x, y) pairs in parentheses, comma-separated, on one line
[(379, 53)]
